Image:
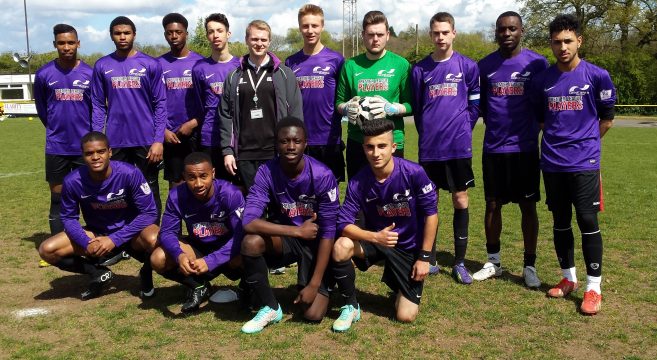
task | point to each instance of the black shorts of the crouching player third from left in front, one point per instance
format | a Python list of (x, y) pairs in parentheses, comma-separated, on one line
[(304, 253)]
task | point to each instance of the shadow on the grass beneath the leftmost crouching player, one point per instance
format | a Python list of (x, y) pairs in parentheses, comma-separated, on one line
[(71, 286)]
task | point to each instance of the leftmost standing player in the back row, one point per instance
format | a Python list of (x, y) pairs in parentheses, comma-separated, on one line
[(62, 94)]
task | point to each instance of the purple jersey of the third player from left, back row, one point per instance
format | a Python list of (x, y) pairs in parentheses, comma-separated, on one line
[(181, 97)]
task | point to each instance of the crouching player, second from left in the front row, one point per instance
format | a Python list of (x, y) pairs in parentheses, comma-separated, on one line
[(212, 211)]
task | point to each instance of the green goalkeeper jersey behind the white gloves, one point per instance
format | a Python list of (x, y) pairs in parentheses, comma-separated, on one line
[(387, 76)]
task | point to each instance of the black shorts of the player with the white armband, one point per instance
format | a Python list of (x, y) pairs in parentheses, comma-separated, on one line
[(452, 175)]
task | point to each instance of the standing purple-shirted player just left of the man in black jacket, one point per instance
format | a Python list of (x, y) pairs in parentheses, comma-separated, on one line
[(209, 75)]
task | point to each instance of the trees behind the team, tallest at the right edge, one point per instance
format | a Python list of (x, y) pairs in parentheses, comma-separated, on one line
[(619, 35)]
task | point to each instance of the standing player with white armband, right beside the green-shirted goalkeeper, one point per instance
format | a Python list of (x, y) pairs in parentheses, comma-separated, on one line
[(446, 103)]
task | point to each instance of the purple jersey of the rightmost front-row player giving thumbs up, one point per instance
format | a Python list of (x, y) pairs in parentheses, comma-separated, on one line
[(405, 198)]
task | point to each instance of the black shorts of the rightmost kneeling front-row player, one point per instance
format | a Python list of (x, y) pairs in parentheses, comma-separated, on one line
[(397, 269)]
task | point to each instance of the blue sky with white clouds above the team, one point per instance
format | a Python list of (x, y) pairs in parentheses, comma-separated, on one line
[(91, 18)]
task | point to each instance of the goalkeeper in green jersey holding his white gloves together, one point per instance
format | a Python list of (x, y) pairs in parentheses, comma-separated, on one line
[(379, 79)]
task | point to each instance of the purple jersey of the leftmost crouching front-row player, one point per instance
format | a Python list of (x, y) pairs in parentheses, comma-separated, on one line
[(121, 206)]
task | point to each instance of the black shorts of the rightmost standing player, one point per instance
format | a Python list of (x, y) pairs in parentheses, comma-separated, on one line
[(581, 189)]
